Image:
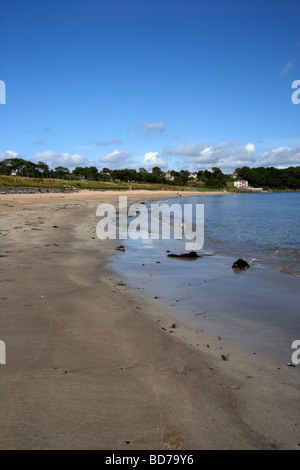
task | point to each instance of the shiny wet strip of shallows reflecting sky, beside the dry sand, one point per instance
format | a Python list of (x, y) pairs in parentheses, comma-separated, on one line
[(201, 295)]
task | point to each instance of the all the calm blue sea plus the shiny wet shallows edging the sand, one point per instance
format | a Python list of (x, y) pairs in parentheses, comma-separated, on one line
[(257, 309)]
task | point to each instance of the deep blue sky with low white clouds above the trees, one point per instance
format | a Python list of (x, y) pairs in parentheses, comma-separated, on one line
[(180, 84)]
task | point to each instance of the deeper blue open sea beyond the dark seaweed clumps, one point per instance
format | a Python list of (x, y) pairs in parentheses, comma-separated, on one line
[(262, 228)]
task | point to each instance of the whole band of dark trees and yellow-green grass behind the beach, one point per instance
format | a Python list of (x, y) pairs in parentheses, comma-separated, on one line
[(17, 171)]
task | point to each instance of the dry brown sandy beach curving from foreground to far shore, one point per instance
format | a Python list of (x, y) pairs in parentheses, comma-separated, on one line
[(92, 363)]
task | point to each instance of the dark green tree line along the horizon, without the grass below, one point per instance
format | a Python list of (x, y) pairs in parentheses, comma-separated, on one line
[(270, 177)]
